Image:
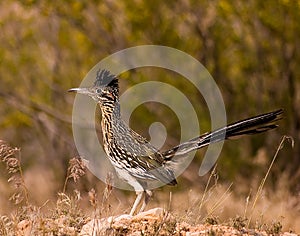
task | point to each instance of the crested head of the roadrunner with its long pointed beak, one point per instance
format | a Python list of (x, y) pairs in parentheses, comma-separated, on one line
[(105, 88)]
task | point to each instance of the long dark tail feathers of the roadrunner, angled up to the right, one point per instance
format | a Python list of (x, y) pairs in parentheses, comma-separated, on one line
[(254, 125)]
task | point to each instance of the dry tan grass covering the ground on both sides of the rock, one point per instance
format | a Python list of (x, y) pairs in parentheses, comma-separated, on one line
[(263, 209)]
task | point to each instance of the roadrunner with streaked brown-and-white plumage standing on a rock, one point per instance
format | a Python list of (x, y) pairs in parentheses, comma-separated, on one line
[(134, 158)]
